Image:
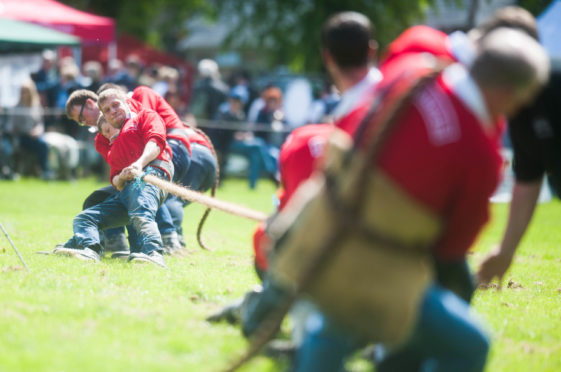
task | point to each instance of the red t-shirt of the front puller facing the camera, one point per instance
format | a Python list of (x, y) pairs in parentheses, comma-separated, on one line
[(135, 133)]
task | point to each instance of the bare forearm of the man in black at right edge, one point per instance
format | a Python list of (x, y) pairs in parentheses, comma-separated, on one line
[(522, 206)]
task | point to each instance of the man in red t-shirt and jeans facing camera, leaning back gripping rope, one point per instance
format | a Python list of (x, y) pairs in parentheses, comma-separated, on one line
[(140, 145)]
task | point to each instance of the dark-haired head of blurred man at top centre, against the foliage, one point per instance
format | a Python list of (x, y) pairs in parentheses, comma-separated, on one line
[(346, 36)]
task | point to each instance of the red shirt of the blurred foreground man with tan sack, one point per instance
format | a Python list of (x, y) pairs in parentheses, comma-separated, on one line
[(441, 155)]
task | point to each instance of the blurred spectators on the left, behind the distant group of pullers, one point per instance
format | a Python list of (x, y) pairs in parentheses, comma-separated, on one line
[(36, 137)]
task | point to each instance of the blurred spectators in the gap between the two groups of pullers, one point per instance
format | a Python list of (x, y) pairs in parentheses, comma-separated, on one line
[(253, 125)]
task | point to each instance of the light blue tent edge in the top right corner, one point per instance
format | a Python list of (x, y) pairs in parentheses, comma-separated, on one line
[(549, 28)]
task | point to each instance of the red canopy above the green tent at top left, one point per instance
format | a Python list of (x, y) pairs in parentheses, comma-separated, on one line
[(90, 28)]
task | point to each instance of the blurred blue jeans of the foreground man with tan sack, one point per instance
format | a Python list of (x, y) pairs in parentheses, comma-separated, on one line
[(446, 338)]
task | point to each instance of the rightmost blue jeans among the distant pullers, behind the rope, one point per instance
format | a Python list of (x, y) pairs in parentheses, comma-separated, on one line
[(199, 177)]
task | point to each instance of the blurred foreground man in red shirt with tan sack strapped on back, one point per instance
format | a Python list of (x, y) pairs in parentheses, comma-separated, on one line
[(412, 183)]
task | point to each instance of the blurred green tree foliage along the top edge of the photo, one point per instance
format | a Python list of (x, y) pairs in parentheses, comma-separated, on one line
[(285, 31)]
